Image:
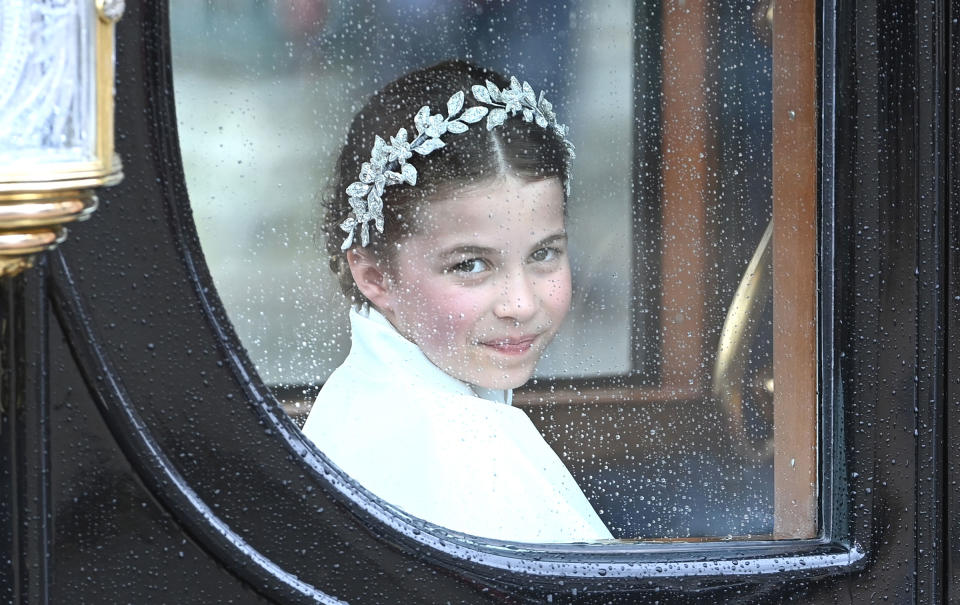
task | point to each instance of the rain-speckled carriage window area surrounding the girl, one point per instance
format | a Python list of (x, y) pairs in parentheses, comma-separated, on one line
[(680, 392)]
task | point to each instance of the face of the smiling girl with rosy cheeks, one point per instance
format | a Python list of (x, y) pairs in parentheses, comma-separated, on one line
[(484, 284)]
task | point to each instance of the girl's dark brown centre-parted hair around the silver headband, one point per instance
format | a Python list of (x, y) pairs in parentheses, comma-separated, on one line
[(517, 148)]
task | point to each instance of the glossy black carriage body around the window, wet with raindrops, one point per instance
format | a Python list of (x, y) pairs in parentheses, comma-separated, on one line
[(145, 462)]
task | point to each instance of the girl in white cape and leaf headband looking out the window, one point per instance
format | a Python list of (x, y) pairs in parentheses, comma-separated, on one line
[(447, 234)]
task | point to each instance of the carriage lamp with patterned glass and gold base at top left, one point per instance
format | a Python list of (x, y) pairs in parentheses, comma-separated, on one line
[(56, 120)]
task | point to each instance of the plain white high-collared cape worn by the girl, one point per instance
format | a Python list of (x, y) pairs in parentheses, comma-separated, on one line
[(457, 456)]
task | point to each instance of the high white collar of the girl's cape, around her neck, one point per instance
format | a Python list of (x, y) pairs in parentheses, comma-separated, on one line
[(377, 345)]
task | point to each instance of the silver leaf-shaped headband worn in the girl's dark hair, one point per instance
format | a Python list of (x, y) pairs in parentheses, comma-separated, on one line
[(388, 163)]
